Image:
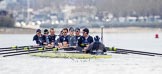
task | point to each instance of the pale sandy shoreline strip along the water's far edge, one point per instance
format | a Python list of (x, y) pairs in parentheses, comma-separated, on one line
[(92, 30)]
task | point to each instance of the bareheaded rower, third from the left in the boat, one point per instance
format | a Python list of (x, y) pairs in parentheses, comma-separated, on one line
[(52, 37)]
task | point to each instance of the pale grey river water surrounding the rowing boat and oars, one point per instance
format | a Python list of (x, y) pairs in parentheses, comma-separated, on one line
[(118, 64)]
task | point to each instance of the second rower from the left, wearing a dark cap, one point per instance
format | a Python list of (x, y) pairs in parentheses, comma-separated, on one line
[(46, 38)]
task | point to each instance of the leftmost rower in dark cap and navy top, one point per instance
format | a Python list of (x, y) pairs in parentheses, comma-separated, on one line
[(38, 38)]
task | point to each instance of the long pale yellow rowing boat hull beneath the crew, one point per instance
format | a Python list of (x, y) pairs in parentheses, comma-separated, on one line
[(70, 55)]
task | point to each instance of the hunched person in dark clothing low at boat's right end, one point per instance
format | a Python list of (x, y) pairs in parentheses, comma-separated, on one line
[(96, 47)]
